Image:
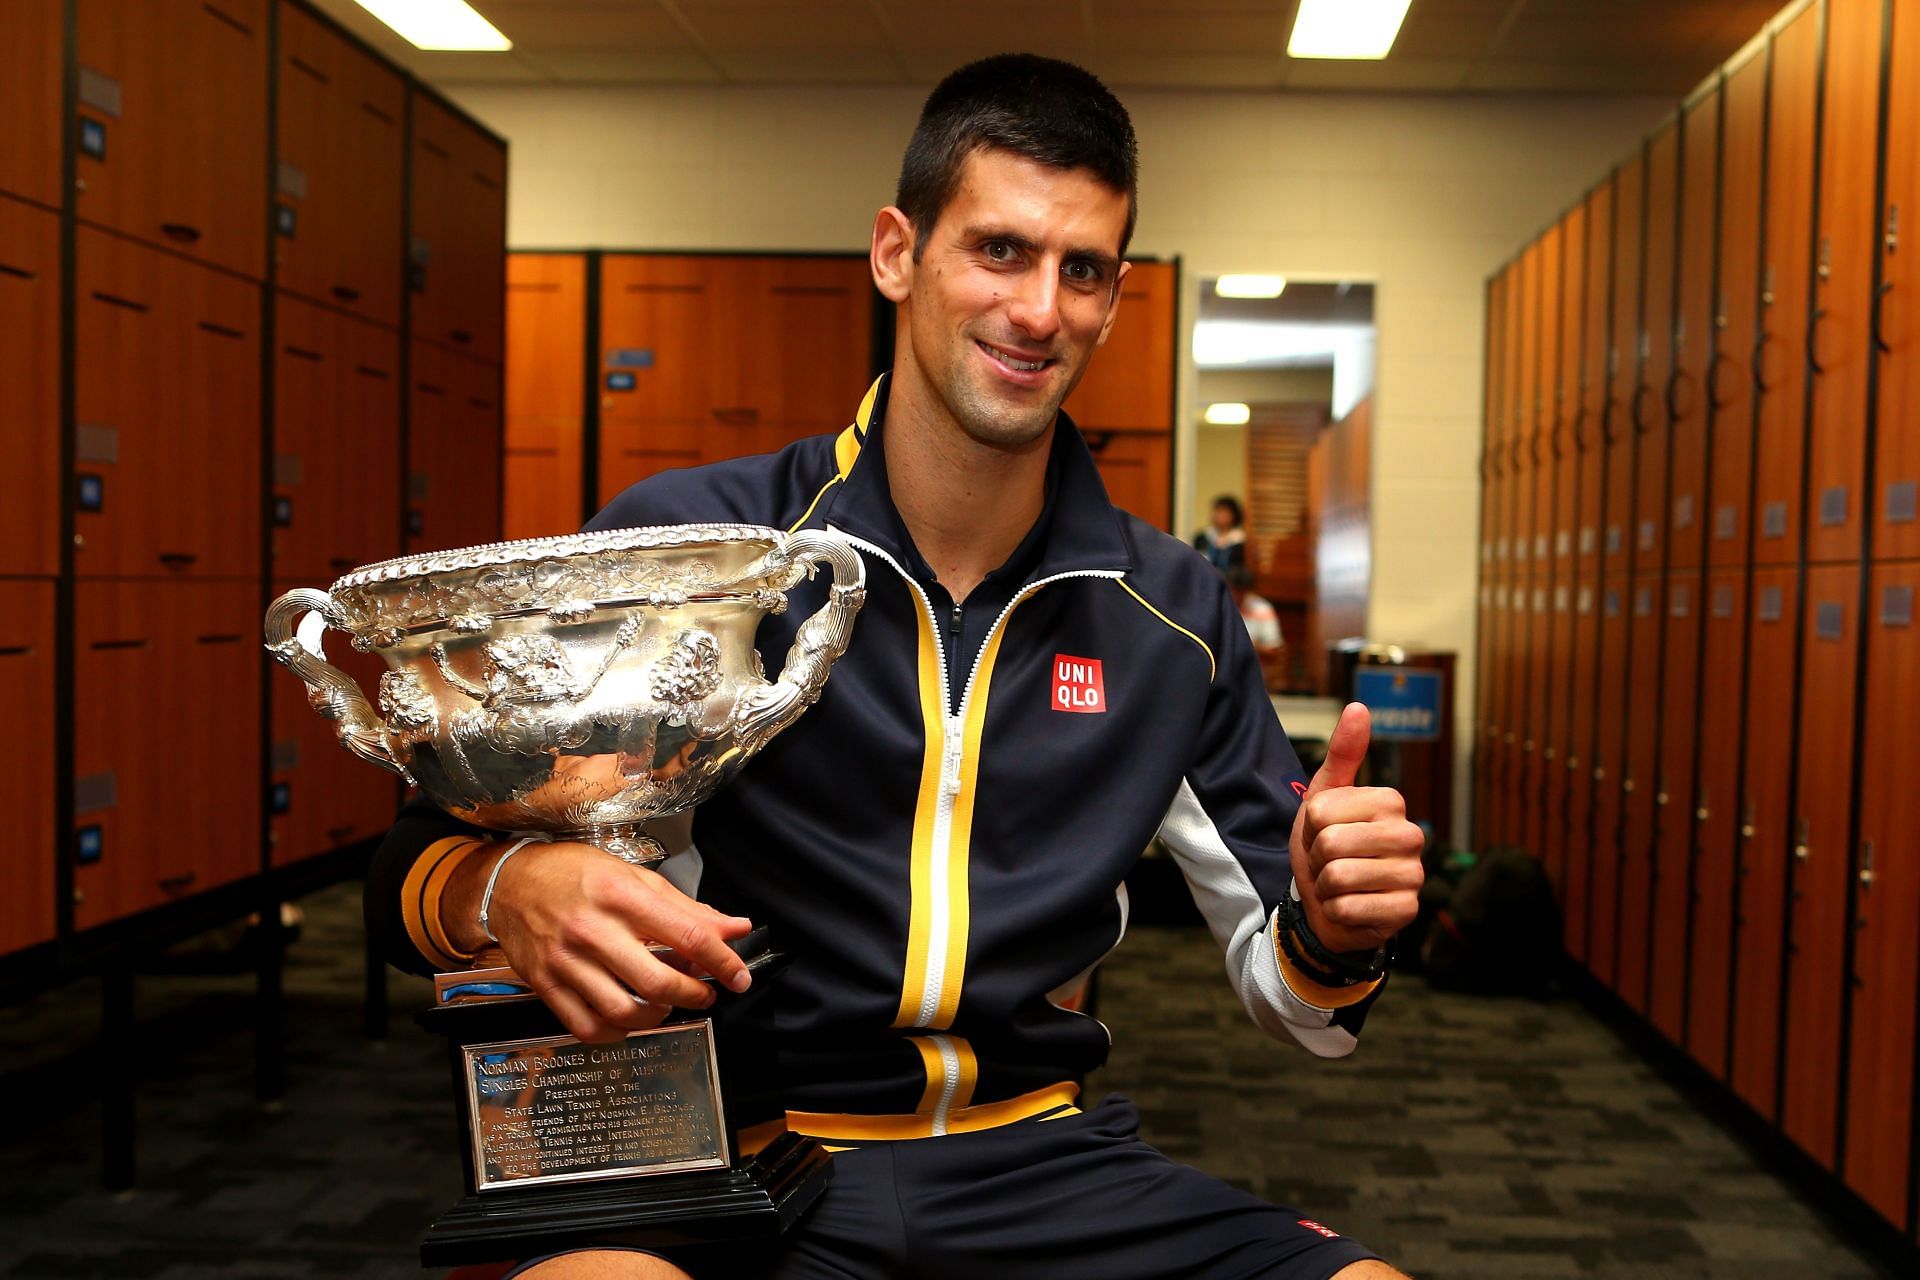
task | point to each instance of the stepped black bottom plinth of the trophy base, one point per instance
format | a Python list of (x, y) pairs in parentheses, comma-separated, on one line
[(759, 1197)]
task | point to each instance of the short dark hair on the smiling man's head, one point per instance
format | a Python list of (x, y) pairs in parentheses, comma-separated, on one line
[(1042, 108)]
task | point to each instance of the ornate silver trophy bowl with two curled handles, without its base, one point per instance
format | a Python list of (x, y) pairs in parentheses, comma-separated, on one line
[(575, 686)]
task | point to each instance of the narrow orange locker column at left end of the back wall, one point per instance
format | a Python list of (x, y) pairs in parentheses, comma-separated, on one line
[(546, 414)]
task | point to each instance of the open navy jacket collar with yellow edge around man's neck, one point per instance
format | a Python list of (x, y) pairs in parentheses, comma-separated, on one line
[(1080, 525)]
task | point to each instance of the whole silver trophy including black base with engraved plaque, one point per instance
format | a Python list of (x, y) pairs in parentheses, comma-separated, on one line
[(577, 688)]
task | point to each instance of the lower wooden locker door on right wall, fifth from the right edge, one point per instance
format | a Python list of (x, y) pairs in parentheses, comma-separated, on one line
[(1673, 813)]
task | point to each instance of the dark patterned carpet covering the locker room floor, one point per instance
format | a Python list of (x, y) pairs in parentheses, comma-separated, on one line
[(1464, 1139)]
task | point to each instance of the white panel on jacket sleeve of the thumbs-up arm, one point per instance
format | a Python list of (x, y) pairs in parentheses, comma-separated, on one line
[(1243, 928)]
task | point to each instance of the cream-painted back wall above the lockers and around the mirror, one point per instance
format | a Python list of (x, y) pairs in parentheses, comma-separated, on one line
[(1424, 197)]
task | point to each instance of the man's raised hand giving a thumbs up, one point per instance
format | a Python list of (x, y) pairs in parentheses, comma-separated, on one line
[(1356, 857)]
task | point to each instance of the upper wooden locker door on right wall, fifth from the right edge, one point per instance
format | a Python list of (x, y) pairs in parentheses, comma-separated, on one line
[(1692, 337)]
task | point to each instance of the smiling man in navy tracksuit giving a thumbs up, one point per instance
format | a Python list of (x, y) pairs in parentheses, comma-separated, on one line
[(1036, 686)]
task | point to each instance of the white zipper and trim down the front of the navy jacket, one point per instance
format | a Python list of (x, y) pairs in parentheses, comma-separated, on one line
[(953, 749)]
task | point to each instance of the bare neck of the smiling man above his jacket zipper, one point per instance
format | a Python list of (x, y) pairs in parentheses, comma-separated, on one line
[(965, 504)]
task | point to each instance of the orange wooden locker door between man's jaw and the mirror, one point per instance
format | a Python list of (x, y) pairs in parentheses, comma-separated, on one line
[(1130, 383)]
